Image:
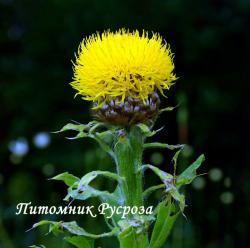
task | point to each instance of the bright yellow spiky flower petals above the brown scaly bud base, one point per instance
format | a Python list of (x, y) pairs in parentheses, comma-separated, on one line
[(122, 64)]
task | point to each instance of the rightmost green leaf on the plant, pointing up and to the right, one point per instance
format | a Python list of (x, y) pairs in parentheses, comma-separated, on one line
[(188, 175)]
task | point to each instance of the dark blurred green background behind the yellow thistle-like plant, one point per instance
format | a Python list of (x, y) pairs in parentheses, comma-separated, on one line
[(210, 40)]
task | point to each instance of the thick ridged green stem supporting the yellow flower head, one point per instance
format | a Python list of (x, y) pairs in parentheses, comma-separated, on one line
[(128, 151)]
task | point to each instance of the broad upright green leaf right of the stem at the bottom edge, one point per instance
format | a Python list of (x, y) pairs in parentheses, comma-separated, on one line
[(165, 219)]
